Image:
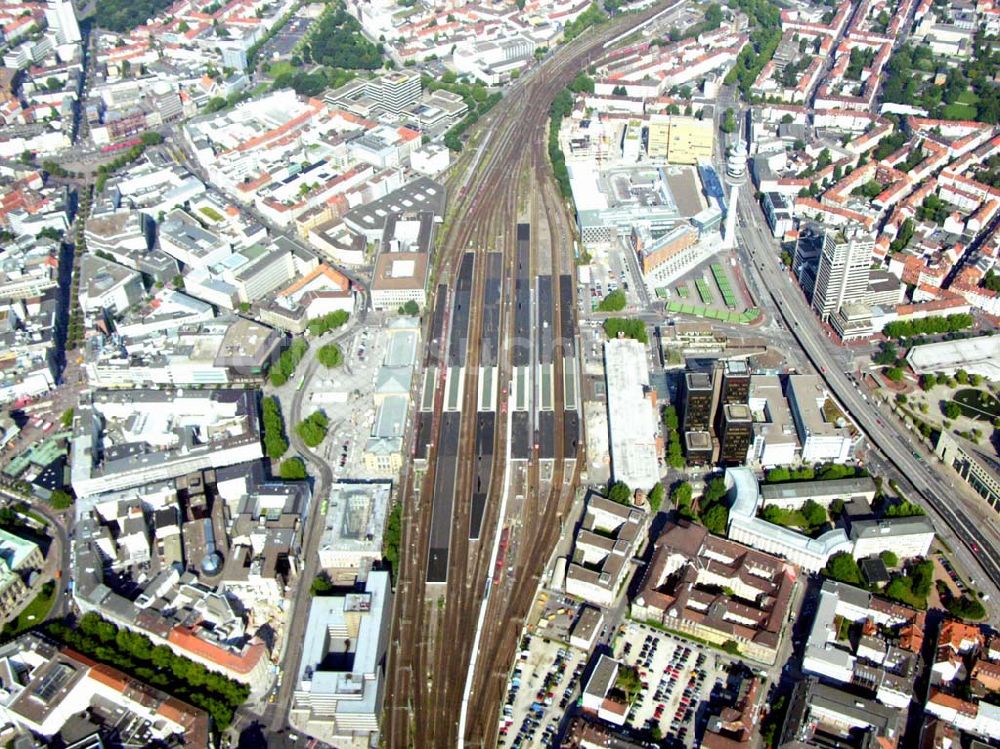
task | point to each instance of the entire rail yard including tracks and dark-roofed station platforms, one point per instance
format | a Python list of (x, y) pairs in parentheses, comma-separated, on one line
[(497, 431)]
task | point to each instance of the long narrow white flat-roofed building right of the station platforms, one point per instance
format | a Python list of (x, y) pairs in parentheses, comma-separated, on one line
[(632, 415)]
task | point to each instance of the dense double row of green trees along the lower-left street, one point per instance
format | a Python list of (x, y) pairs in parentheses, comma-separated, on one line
[(157, 665)]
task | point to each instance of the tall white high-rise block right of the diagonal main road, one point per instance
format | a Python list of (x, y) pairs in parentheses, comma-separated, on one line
[(843, 272)]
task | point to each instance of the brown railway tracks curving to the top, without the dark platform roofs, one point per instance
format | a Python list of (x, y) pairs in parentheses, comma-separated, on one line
[(431, 644)]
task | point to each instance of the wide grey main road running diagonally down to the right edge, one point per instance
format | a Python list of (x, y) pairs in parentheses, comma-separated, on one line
[(975, 544)]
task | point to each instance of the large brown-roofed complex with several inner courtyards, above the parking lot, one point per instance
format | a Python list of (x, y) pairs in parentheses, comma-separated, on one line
[(717, 590)]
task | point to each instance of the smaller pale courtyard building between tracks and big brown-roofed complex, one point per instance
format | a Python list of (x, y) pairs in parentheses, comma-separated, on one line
[(610, 535)]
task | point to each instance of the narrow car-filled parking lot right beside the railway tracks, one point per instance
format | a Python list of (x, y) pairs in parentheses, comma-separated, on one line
[(545, 680)]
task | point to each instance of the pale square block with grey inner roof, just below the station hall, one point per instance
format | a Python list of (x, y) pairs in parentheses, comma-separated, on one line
[(352, 535)]
